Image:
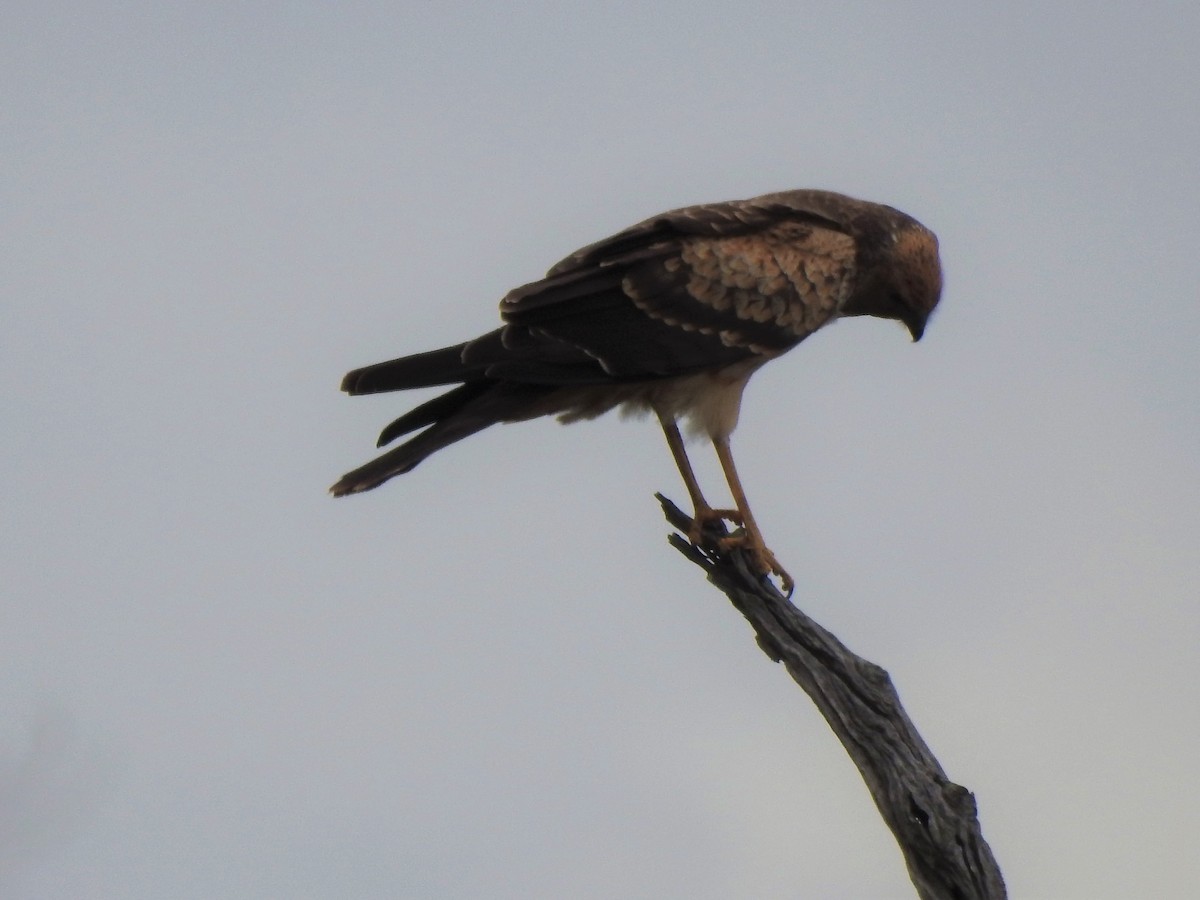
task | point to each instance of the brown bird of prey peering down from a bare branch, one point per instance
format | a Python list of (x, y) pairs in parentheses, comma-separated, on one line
[(671, 316)]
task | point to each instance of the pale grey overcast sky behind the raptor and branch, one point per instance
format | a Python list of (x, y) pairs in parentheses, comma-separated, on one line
[(494, 679)]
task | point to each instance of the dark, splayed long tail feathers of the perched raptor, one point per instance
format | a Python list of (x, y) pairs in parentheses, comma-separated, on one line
[(475, 405)]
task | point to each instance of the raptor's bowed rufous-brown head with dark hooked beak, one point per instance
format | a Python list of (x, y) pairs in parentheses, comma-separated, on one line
[(907, 281)]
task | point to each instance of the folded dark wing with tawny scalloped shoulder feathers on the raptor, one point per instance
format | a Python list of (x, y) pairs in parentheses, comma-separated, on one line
[(697, 290)]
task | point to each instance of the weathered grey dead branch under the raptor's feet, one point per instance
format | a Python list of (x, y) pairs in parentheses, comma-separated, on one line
[(933, 819)]
